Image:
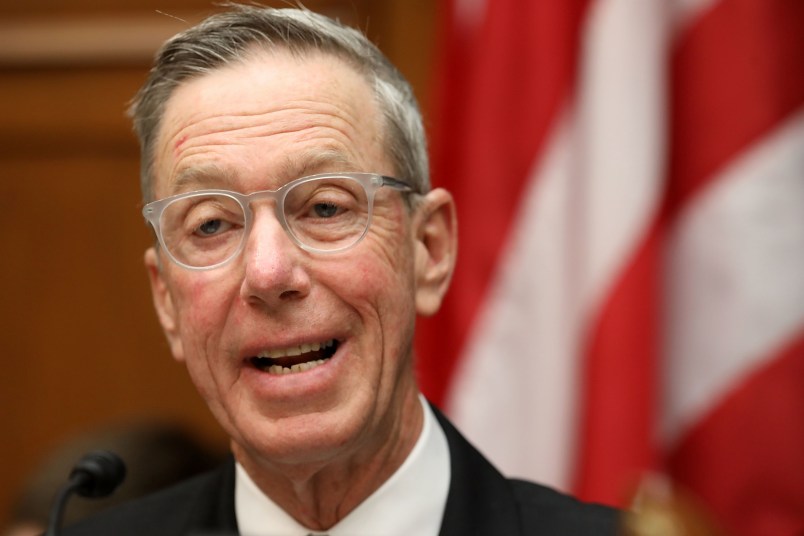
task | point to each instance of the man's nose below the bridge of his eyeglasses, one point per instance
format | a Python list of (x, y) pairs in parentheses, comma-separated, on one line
[(274, 267)]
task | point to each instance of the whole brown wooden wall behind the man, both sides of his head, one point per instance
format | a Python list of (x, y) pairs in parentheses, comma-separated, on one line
[(80, 340)]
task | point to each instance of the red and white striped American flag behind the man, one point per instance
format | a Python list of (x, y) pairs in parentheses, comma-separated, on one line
[(629, 296)]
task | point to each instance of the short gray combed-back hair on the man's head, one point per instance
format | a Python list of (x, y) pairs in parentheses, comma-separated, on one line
[(228, 37)]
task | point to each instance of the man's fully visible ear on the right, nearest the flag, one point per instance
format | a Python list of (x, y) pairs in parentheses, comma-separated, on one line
[(436, 231)]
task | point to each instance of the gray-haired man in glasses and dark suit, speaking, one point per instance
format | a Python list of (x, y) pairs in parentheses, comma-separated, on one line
[(285, 175)]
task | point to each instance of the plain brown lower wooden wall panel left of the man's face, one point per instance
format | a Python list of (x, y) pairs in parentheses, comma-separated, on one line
[(81, 343)]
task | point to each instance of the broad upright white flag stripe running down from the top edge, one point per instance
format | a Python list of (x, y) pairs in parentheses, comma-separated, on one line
[(622, 103)]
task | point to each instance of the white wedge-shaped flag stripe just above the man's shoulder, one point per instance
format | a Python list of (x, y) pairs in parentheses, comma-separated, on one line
[(514, 391)]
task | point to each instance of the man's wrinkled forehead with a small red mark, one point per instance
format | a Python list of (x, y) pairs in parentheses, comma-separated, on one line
[(271, 107)]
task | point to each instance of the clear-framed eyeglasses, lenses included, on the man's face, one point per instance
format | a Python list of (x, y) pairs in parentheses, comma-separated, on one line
[(323, 213)]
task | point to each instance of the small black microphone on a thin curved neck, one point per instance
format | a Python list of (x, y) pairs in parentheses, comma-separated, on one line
[(96, 474)]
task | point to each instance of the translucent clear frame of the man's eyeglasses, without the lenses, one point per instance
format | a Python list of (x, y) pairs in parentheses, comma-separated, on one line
[(371, 182)]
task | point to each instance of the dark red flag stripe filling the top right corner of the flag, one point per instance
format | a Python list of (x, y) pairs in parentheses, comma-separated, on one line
[(736, 73)]
